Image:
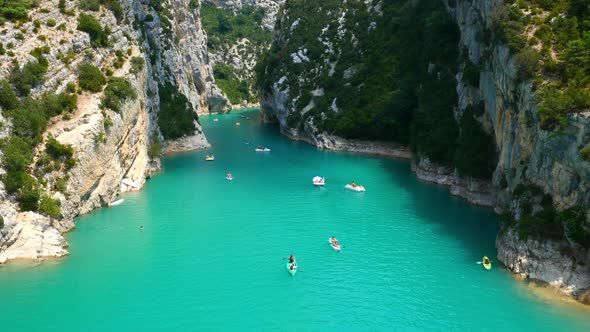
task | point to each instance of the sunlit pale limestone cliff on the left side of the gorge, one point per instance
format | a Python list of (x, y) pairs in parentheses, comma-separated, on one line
[(109, 146)]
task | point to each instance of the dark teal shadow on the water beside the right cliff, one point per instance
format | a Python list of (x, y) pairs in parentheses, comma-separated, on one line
[(474, 227)]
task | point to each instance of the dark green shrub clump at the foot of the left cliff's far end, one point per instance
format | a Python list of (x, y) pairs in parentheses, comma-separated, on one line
[(176, 116)]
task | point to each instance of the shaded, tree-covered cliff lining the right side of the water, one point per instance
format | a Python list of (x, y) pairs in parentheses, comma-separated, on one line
[(537, 174)]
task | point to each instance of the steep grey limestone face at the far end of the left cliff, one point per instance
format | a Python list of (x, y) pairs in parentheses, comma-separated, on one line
[(180, 54)]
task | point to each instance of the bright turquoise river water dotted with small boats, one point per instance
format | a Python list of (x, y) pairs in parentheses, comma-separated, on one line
[(211, 254)]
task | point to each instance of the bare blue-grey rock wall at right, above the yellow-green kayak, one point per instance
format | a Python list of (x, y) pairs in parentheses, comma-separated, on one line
[(527, 154)]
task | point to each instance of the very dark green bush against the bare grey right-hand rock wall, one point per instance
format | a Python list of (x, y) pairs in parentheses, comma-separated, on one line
[(475, 153)]
